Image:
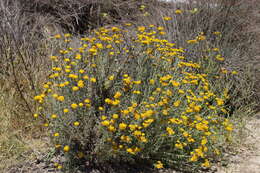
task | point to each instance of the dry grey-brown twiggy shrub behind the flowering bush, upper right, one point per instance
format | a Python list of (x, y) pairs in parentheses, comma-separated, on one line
[(236, 21)]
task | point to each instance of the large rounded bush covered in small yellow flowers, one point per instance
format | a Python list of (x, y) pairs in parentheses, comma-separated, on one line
[(128, 94)]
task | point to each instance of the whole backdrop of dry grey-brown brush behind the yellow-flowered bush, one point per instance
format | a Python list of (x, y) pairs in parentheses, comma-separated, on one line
[(26, 25)]
